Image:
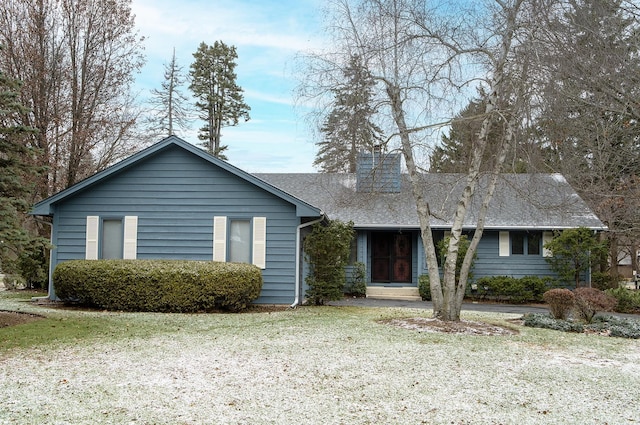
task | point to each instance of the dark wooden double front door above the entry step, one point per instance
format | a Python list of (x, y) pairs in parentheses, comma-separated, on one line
[(391, 257)]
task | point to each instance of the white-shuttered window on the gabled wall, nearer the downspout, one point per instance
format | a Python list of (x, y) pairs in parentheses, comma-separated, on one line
[(240, 240)]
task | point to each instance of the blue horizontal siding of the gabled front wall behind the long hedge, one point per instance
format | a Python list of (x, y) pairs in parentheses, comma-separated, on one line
[(175, 196)]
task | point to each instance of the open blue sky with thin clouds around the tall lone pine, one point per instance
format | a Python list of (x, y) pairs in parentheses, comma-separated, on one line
[(267, 34)]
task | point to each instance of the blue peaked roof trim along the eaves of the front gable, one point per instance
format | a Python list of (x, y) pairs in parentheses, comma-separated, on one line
[(46, 207)]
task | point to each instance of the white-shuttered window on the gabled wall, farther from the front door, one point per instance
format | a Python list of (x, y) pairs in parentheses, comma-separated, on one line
[(111, 238)]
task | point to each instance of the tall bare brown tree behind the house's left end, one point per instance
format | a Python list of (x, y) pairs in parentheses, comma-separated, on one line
[(77, 61)]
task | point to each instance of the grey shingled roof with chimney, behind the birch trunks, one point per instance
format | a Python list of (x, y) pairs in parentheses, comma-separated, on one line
[(521, 201)]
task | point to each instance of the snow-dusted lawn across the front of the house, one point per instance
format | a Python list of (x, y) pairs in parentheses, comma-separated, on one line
[(325, 365)]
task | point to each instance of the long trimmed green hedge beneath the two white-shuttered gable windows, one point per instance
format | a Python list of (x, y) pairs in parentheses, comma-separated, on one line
[(158, 285)]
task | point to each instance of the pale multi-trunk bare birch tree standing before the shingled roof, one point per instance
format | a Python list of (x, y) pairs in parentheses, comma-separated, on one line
[(419, 55)]
